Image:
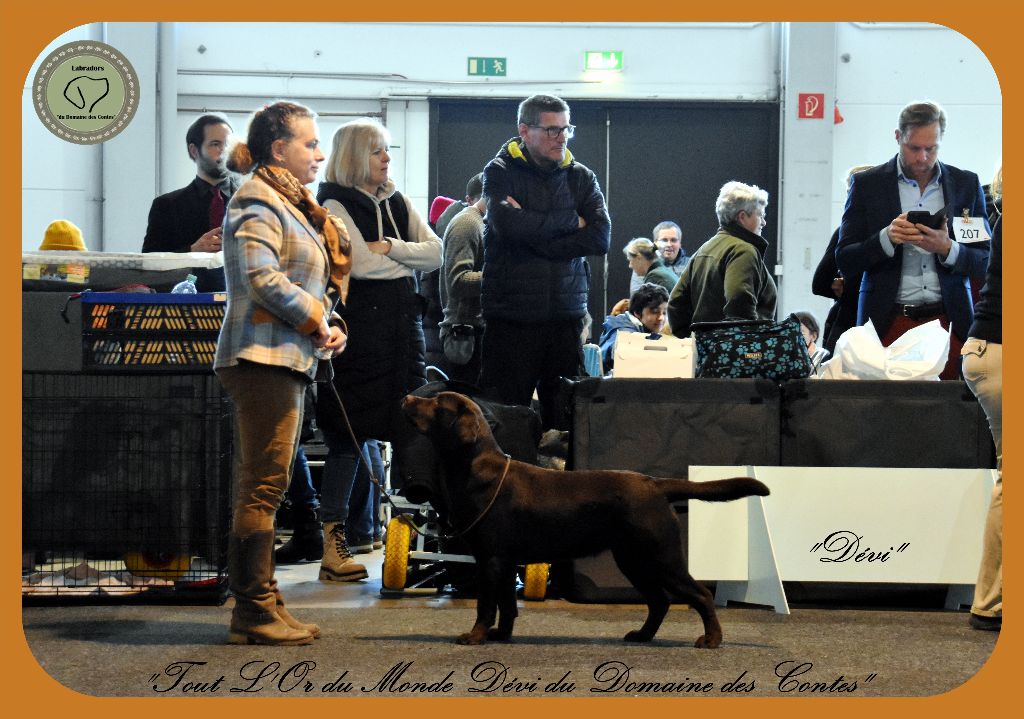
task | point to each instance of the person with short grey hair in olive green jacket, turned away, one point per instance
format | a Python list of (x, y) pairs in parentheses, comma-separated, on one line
[(728, 278)]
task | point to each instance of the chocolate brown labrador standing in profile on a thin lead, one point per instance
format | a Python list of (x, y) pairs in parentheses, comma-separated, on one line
[(515, 514)]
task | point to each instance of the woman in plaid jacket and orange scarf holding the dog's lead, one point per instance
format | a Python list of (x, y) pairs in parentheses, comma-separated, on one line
[(284, 256)]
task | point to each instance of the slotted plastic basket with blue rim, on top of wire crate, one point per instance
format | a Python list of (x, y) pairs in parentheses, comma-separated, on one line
[(129, 332)]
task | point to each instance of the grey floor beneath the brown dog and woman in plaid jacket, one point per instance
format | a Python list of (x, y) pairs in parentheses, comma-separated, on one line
[(575, 650)]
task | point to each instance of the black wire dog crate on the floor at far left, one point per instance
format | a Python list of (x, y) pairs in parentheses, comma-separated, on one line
[(125, 487)]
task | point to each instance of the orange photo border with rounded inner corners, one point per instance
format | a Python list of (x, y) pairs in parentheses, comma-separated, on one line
[(29, 28)]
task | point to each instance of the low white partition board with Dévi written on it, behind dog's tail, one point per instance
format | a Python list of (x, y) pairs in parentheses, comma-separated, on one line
[(907, 526)]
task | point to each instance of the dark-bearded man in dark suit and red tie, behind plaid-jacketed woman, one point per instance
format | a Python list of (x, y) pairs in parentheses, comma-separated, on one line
[(190, 220)]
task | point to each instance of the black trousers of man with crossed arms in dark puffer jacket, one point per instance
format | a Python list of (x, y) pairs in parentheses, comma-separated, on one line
[(519, 358)]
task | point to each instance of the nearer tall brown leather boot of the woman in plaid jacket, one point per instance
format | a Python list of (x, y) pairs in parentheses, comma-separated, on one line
[(250, 572)]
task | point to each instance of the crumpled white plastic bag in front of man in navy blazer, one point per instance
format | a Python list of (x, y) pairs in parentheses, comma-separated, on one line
[(919, 355)]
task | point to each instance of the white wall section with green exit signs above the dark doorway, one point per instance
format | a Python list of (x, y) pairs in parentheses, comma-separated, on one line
[(690, 61)]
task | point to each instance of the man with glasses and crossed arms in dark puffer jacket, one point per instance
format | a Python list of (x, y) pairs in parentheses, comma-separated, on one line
[(545, 216)]
